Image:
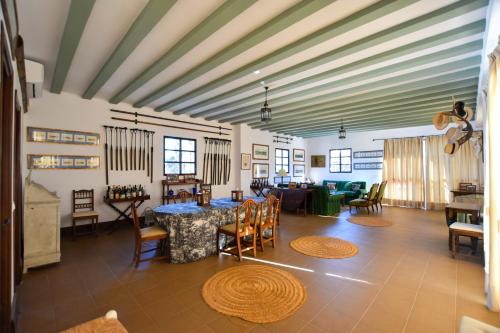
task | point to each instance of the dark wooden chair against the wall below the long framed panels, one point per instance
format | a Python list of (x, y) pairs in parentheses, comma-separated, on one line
[(83, 209)]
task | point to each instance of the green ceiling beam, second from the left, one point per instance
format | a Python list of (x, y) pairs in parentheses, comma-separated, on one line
[(143, 24)]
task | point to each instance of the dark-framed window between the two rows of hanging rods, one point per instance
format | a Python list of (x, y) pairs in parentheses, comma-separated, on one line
[(179, 156)]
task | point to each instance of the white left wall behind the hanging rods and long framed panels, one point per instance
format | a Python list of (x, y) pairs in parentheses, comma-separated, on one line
[(70, 112)]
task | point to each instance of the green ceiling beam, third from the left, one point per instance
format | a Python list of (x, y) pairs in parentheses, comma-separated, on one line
[(220, 17)]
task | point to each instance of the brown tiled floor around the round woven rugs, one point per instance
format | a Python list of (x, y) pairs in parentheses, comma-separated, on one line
[(402, 280)]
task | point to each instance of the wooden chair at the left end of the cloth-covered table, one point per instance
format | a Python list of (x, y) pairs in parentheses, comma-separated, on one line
[(144, 235)]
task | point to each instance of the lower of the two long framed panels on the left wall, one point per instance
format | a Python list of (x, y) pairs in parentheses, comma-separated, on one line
[(47, 162)]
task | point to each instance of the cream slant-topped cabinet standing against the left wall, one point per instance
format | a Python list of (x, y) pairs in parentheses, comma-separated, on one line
[(42, 223)]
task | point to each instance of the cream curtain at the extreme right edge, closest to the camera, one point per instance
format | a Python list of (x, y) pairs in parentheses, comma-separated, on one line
[(492, 193)]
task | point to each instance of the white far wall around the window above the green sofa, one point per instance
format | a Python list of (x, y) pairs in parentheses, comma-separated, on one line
[(357, 141)]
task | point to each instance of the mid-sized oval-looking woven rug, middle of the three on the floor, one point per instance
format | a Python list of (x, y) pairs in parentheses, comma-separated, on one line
[(324, 247)]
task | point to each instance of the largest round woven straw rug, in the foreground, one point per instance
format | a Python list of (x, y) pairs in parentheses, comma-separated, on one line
[(257, 293)]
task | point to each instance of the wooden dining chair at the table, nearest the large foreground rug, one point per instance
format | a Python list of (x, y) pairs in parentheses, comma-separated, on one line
[(246, 226)]
